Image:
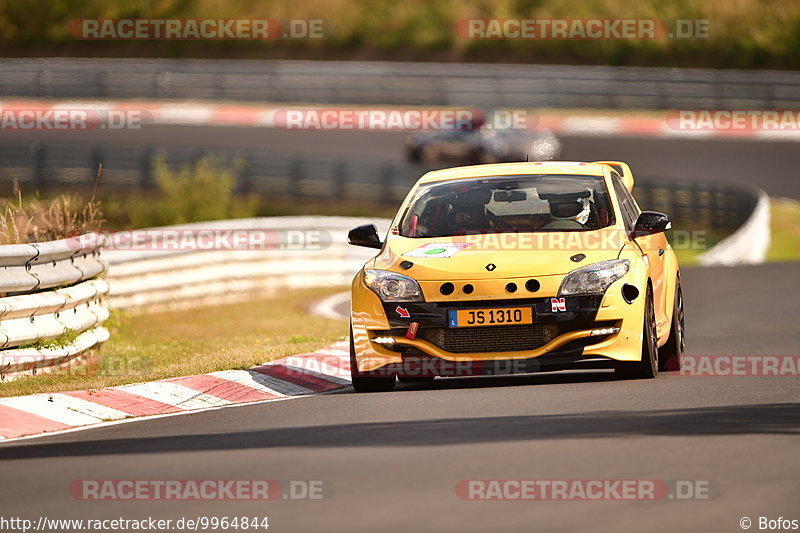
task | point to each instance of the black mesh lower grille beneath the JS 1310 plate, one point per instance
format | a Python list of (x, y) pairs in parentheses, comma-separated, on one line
[(490, 339)]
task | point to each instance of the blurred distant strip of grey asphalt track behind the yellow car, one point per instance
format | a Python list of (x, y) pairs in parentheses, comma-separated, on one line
[(769, 165)]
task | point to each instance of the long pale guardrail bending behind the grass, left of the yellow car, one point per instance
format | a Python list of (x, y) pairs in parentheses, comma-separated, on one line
[(300, 252)]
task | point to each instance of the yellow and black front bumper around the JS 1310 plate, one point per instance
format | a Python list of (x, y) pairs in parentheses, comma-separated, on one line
[(591, 331)]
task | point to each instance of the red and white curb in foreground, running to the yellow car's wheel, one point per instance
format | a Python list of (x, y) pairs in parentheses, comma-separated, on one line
[(290, 377)]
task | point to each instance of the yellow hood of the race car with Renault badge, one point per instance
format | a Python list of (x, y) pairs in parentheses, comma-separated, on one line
[(501, 255)]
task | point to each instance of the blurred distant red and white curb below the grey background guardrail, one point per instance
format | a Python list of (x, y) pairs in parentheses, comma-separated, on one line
[(213, 114)]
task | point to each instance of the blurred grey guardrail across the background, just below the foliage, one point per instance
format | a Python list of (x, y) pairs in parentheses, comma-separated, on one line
[(357, 82)]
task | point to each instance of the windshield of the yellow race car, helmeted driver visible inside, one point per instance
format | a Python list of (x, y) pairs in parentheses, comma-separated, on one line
[(500, 204)]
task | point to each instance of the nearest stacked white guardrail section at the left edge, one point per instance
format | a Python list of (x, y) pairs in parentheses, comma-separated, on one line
[(49, 291)]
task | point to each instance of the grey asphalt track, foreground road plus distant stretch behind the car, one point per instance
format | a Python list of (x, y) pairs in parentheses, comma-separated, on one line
[(394, 459)]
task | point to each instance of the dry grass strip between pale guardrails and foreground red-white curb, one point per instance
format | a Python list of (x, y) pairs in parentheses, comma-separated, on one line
[(155, 346)]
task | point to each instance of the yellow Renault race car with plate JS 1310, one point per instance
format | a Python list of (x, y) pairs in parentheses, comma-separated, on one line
[(516, 268)]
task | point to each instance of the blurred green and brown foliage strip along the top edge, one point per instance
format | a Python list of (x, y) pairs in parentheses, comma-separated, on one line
[(744, 33)]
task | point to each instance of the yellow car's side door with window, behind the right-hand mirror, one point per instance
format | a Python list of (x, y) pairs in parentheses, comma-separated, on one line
[(652, 246)]
